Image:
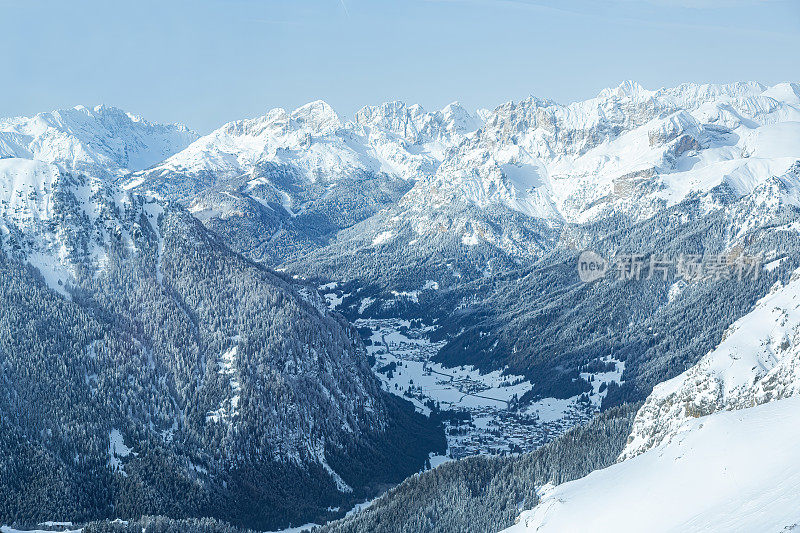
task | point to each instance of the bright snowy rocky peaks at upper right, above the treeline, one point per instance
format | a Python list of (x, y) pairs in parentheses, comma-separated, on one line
[(628, 150)]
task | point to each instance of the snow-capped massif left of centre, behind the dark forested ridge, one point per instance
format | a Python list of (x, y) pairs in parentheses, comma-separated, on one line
[(286, 182)]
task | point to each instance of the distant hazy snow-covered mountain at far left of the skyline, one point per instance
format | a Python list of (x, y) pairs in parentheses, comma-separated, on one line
[(102, 140)]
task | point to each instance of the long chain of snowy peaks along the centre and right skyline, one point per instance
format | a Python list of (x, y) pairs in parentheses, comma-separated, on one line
[(627, 152)]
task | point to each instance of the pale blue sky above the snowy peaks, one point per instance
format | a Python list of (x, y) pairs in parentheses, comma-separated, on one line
[(206, 62)]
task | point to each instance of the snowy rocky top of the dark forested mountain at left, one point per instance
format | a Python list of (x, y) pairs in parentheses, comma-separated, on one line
[(59, 221)]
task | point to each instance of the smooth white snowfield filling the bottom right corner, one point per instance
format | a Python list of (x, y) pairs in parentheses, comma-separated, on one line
[(731, 471)]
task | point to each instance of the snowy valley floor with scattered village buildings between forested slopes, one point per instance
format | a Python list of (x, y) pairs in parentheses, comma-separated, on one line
[(481, 412)]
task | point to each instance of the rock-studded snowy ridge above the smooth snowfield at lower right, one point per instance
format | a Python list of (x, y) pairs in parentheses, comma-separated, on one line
[(758, 361)]
